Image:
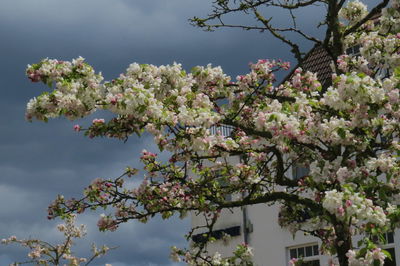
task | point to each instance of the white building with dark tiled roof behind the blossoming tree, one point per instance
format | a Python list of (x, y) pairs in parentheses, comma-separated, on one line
[(257, 225)]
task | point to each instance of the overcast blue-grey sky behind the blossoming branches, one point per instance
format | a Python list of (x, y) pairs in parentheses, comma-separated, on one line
[(39, 160)]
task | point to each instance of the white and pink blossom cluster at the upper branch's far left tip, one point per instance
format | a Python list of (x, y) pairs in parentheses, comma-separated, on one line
[(78, 89)]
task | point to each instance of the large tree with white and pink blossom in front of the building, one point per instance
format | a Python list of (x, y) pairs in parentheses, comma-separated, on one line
[(346, 133)]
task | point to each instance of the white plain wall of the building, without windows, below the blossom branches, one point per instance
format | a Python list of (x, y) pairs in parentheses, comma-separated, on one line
[(269, 241)]
